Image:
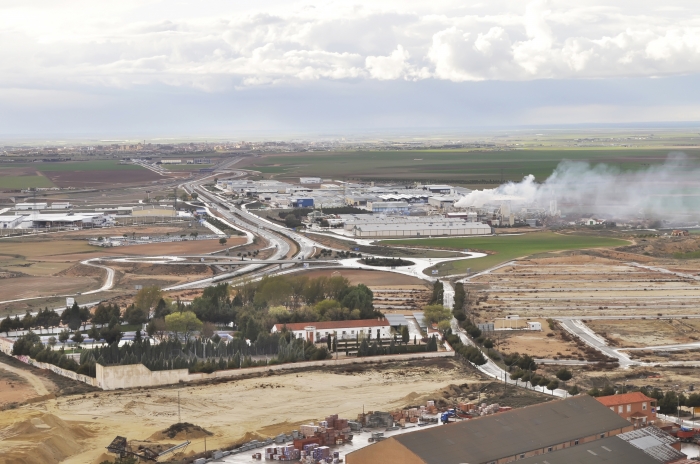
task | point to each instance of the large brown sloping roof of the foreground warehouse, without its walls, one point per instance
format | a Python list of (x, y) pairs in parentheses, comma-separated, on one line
[(490, 438)]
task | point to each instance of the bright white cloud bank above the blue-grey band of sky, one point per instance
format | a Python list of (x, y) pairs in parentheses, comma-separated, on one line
[(212, 45)]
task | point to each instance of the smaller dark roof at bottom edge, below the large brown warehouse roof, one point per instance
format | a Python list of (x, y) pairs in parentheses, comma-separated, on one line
[(609, 450)]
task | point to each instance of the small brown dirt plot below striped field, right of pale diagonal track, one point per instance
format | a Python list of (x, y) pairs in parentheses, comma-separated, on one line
[(643, 333)]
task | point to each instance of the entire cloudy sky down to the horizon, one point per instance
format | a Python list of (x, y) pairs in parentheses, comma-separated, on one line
[(231, 67)]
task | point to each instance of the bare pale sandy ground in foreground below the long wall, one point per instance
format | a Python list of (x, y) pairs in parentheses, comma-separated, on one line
[(234, 411)]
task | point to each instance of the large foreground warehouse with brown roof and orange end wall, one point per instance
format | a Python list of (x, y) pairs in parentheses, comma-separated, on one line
[(508, 436)]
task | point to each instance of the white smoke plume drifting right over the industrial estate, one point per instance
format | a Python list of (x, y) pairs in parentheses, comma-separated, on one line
[(662, 190)]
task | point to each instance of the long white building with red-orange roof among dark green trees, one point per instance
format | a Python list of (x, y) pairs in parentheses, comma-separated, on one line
[(314, 331)]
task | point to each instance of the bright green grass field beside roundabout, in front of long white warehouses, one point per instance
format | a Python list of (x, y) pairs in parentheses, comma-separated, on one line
[(504, 248)]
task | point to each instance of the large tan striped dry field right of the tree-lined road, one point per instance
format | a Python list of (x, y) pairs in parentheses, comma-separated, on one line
[(584, 285)]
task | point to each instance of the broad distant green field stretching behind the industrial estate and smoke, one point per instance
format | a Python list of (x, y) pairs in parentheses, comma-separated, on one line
[(465, 166)]
